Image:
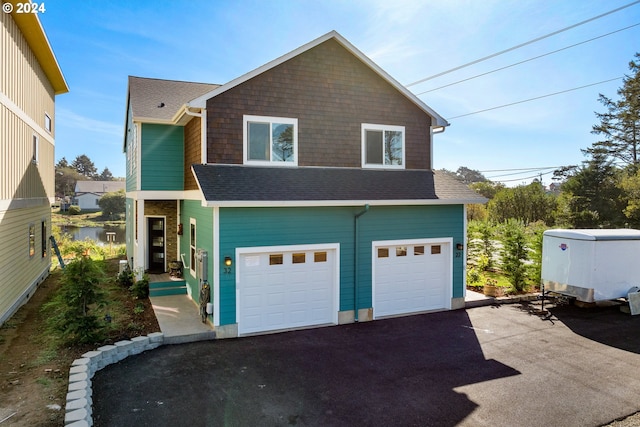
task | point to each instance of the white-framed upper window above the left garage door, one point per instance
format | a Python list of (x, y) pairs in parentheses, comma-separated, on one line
[(270, 140)]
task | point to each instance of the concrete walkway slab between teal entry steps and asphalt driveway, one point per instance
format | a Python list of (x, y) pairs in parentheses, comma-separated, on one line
[(179, 320)]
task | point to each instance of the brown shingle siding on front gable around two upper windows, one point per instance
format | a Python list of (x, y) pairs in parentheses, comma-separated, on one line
[(331, 93)]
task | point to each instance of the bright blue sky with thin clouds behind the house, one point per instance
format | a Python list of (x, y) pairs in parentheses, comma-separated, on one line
[(99, 43)]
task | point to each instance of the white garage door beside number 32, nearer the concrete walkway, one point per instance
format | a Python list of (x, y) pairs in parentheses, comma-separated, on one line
[(286, 287)]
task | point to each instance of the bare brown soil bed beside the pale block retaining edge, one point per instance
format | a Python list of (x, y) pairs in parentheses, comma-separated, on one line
[(34, 371)]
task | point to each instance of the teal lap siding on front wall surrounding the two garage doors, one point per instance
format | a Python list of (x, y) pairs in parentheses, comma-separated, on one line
[(250, 227)]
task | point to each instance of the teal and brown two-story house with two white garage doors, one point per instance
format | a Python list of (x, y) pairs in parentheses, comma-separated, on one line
[(302, 193)]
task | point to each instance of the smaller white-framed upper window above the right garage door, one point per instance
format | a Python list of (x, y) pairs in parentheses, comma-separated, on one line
[(382, 146)]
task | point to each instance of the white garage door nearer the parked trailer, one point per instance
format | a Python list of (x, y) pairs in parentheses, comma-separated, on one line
[(411, 277)]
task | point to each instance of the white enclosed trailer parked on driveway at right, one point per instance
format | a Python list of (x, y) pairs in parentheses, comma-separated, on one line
[(591, 265)]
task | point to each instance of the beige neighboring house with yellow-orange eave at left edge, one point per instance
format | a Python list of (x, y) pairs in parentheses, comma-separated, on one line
[(30, 78)]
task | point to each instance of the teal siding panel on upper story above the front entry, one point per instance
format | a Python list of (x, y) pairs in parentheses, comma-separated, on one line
[(162, 157)]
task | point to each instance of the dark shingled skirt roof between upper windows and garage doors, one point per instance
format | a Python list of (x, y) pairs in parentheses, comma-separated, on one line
[(234, 185)]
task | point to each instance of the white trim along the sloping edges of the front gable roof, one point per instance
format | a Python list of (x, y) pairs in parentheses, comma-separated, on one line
[(200, 102)]
